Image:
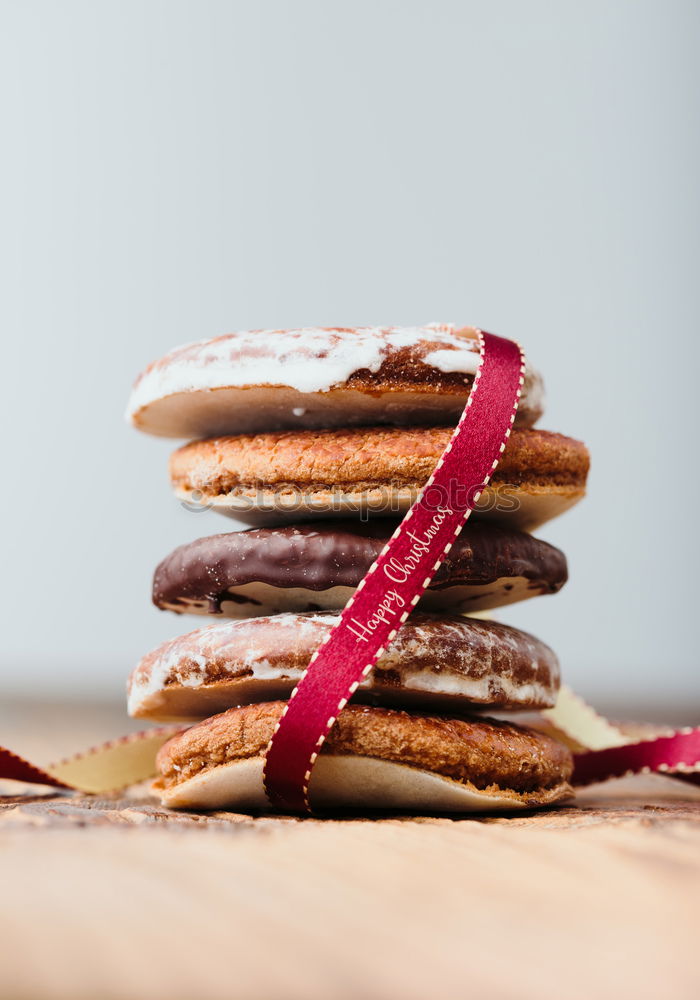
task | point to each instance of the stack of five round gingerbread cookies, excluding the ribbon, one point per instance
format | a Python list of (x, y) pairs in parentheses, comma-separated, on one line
[(321, 439)]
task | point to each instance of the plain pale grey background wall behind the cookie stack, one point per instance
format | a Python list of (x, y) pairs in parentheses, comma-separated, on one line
[(173, 170)]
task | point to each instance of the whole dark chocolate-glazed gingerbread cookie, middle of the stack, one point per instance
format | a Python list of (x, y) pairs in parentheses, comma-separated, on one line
[(313, 567)]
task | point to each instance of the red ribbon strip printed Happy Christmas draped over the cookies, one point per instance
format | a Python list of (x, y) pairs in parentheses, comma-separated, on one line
[(384, 599)]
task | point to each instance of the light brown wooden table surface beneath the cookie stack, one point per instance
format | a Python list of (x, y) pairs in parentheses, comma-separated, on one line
[(119, 898)]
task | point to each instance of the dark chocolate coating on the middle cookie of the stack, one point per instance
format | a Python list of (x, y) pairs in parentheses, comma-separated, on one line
[(331, 554)]
